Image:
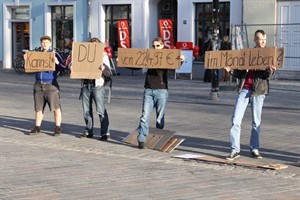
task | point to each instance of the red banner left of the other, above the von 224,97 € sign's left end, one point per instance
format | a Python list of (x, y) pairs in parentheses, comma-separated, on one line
[(123, 34)]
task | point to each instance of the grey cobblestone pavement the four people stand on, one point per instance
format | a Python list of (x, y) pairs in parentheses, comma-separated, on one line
[(67, 167)]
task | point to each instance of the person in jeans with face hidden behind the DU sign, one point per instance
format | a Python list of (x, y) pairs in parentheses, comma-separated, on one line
[(93, 90)]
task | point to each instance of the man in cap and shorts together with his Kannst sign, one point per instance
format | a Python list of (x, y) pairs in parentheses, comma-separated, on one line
[(46, 88)]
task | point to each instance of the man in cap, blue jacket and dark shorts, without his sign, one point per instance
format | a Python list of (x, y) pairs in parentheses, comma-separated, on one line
[(46, 90)]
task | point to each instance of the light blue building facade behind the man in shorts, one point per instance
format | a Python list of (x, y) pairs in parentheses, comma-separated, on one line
[(25, 21)]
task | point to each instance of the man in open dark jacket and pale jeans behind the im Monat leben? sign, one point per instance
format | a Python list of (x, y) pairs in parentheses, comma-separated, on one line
[(253, 87)]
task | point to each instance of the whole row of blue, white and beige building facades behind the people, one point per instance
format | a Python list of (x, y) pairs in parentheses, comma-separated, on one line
[(78, 20)]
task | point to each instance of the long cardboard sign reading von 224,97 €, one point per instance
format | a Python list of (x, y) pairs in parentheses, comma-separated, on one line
[(149, 58)]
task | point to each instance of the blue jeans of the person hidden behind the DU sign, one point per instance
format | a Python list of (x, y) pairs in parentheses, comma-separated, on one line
[(96, 94)]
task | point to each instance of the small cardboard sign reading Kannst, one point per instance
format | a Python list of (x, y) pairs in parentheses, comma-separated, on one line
[(39, 61)]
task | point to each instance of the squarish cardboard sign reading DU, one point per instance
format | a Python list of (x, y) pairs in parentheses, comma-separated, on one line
[(87, 58)]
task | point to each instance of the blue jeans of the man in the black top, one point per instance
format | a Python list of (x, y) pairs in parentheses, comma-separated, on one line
[(153, 98)]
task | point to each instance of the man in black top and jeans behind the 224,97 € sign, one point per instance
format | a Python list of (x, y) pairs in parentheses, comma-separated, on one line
[(155, 96)]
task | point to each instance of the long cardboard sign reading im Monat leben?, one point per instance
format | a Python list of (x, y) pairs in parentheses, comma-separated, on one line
[(254, 58)]
